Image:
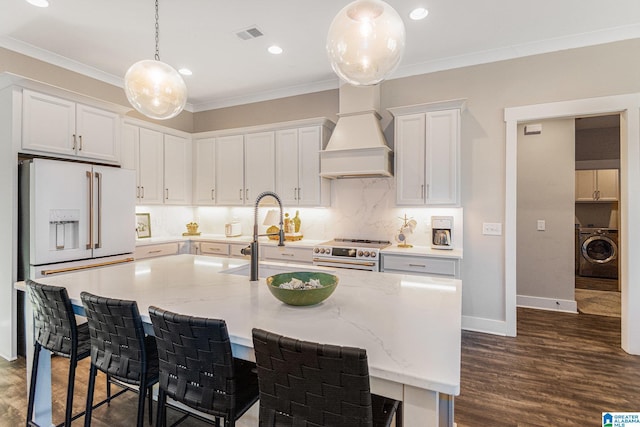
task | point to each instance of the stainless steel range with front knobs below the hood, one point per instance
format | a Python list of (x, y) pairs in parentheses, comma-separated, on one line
[(358, 254)]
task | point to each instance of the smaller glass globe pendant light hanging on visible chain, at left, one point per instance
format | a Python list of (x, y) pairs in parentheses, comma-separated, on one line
[(154, 88)]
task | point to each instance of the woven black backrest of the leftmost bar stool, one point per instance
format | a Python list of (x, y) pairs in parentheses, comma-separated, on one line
[(54, 321)]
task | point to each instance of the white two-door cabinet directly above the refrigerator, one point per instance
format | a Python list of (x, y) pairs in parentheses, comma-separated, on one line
[(59, 126)]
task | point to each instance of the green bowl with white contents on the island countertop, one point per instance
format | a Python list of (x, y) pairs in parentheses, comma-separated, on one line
[(302, 296)]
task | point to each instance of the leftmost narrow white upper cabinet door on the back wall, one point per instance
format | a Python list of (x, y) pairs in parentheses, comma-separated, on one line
[(204, 171)]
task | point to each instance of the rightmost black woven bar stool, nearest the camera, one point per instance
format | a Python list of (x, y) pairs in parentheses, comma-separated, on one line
[(309, 384)]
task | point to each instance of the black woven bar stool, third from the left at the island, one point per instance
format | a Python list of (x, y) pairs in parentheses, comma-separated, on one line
[(198, 369)]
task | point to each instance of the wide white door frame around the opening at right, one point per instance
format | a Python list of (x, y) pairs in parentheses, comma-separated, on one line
[(628, 106)]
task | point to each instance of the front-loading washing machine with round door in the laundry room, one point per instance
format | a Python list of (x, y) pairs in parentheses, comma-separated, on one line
[(598, 253)]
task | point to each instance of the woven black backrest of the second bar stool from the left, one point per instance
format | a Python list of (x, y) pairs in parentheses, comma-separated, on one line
[(117, 337)]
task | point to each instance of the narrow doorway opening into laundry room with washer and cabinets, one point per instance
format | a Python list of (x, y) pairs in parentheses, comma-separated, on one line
[(597, 198)]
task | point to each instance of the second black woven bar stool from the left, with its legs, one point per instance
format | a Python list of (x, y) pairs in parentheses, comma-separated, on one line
[(120, 349)]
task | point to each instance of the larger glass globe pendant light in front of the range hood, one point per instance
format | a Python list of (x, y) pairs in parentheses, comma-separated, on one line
[(365, 42)]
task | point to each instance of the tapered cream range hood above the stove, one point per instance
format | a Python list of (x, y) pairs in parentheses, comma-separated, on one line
[(357, 147)]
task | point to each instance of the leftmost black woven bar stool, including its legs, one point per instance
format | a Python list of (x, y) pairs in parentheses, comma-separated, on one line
[(56, 330)]
